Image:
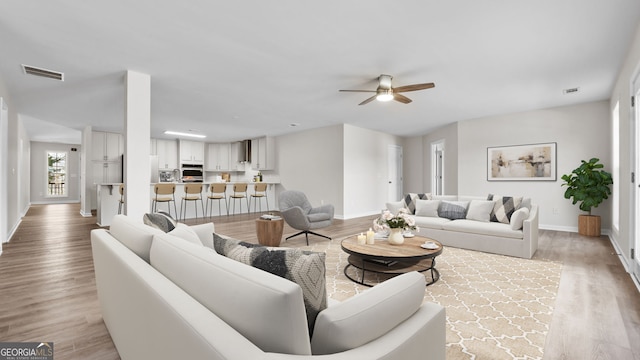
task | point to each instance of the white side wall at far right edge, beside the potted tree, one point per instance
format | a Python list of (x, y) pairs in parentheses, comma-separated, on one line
[(622, 94)]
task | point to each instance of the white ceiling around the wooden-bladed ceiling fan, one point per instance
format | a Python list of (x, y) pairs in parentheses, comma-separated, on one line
[(240, 69)]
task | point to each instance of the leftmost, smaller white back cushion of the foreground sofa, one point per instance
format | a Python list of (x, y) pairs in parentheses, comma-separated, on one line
[(135, 235)]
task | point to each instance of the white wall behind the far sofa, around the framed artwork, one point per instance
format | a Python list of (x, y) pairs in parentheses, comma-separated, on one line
[(581, 132)]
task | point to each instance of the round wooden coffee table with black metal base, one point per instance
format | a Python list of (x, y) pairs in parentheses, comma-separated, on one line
[(384, 258)]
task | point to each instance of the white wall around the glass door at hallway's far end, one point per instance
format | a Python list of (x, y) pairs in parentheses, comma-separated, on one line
[(38, 173)]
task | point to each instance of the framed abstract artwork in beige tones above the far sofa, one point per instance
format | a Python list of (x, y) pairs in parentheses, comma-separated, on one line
[(533, 162)]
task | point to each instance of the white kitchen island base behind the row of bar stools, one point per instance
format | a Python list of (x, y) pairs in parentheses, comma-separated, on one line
[(108, 198)]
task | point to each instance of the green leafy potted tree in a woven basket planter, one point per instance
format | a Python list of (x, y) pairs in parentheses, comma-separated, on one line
[(590, 186)]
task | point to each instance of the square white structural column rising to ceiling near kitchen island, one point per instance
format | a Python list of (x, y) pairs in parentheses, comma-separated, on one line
[(137, 142)]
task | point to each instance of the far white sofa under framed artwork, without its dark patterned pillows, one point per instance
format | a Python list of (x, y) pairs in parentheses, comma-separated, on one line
[(476, 232)]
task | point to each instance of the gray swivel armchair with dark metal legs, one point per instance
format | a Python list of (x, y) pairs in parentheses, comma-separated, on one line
[(300, 215)]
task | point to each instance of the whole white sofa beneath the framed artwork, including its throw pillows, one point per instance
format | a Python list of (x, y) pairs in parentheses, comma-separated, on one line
[(505, 225)]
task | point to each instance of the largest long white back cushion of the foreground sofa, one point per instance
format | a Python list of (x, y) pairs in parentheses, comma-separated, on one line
[(268, 310)]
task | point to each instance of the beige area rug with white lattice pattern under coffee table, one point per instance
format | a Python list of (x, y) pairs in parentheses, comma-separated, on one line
[(498, 307)]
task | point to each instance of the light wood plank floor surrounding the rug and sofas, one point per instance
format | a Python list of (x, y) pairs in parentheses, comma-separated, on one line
[(47, 287)]
